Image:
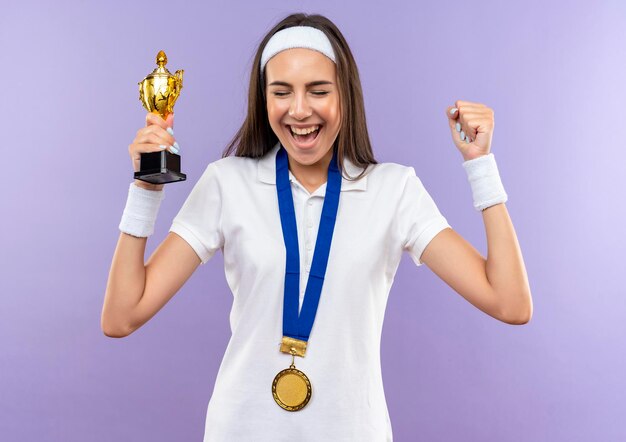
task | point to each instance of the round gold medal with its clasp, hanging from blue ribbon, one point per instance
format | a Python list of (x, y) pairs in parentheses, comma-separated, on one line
[(291, 387)]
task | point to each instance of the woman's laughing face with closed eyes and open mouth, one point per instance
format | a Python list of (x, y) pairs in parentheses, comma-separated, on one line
[(302, 93)]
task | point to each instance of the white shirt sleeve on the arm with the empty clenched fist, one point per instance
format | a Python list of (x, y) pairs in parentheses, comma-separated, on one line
[(418, 218)]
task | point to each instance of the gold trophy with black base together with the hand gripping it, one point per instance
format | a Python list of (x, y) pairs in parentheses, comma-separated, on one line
[(159, 162)]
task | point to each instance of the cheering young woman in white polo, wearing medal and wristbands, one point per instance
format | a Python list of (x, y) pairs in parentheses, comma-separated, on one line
[(312, 229)]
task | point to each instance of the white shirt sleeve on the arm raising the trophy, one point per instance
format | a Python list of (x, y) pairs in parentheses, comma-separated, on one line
[(199, 221)]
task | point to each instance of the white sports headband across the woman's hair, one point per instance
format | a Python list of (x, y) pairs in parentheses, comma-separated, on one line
[(297, 37)]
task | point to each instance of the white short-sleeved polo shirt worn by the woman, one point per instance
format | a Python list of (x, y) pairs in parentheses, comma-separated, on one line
[(234, 207)]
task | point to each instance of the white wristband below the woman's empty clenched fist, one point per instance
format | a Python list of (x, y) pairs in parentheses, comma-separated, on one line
[(484, 178)]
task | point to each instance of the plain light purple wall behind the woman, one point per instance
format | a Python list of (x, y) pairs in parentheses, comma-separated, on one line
[(554, 75)]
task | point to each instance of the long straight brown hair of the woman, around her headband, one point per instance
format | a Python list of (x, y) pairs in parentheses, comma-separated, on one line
[(256, 137)]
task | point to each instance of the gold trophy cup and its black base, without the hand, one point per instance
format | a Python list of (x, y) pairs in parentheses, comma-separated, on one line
[(158, 93)]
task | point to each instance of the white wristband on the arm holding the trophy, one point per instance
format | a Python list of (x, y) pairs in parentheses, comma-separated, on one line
[(142, 206)]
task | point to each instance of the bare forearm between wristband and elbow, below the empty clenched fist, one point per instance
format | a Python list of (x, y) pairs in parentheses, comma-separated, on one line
[(505, 265)]
